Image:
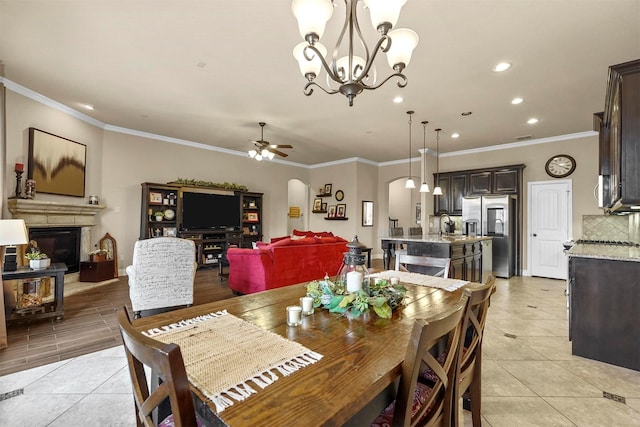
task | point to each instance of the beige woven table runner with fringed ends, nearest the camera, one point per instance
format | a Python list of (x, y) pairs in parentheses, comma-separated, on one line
[(225, 355)]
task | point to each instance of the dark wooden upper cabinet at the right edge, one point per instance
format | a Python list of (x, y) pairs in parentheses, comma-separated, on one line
[(620, 138)]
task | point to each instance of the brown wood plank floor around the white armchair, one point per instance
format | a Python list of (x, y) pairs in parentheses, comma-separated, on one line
[(89, 324)]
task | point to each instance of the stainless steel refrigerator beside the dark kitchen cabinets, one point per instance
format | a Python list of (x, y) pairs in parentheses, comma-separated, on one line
[(493, 216)]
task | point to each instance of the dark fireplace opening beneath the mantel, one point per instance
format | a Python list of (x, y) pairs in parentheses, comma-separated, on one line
[(61, 244)]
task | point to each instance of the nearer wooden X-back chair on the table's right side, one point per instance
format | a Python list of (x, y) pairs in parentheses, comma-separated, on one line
[(417, 403)]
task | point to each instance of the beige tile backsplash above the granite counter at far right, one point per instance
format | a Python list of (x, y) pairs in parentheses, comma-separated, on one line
[(611, 227)]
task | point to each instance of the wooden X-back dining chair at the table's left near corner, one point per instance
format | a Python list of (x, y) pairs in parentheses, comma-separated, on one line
[(166, 361)]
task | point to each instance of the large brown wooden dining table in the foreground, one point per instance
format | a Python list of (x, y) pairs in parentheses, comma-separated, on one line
[(360, 364)]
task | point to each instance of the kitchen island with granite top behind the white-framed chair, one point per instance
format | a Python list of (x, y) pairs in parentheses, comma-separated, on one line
[(466, 252)]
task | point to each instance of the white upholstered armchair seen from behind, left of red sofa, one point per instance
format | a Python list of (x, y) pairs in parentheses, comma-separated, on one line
[(162, 273)]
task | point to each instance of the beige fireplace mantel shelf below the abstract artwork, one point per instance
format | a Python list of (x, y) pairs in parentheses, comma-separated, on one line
[(38, 213)]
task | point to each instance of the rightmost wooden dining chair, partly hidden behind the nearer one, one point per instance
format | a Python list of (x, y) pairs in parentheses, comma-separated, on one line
[(470, 360)]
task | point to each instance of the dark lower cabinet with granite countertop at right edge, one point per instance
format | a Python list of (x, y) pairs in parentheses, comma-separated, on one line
[(604, 297)]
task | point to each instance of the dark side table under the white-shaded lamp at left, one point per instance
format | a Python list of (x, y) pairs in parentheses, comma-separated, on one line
[(48, 309)]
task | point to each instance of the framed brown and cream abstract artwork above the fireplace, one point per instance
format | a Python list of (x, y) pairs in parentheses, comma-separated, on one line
[(57, 164)]
